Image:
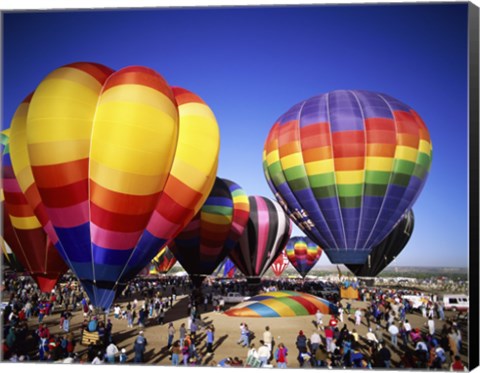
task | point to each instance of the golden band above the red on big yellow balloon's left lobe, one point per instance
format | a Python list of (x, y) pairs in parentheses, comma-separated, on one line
[(65, 151)]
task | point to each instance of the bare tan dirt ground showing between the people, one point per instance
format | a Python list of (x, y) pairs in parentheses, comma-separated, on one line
[(227, 332)]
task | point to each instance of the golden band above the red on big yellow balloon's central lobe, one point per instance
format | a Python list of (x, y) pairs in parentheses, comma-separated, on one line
[(123, 182)]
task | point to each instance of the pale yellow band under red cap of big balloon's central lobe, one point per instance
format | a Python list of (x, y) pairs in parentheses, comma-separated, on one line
[(139, 94)]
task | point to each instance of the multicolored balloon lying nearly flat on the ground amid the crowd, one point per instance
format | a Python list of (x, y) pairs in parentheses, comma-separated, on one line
[(282, 304)]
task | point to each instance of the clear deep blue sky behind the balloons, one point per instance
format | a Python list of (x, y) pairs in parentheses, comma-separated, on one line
[(251, 64)]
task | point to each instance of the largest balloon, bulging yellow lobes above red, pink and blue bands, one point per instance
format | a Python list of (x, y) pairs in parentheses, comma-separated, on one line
[(121, 162)]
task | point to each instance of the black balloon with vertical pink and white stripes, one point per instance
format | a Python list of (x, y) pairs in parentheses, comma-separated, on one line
[(263, 239)]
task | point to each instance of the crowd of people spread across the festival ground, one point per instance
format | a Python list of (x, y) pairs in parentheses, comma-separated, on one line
[(390, 340)]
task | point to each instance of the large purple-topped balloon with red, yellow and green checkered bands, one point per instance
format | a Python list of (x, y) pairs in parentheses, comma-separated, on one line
[(345, 166)]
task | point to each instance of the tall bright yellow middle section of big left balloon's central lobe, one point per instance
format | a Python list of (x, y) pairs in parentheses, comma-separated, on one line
[(134, 138)]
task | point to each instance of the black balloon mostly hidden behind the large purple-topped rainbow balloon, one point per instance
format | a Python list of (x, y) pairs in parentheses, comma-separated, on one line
[(387, 250)]
